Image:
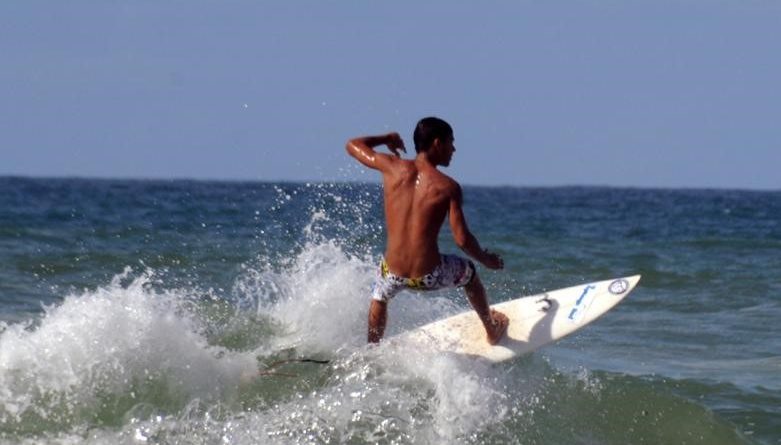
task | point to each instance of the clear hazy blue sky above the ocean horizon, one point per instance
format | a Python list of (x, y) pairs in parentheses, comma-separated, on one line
[(606, 92)]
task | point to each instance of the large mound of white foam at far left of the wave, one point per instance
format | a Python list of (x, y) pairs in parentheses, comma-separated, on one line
[(105, 342)]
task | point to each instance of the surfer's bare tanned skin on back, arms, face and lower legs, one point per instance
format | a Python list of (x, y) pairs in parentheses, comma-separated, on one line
[(418, 197)]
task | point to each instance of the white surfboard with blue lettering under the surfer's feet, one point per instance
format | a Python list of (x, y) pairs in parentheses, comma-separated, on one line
[(534, 321)]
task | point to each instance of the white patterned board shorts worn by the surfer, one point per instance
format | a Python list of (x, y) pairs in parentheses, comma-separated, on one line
[(452, 271)]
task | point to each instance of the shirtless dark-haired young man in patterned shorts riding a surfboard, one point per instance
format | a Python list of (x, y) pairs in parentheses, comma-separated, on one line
[(418, 197)]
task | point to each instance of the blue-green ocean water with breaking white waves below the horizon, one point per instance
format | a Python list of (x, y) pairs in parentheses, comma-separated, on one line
[(180, 312)]
